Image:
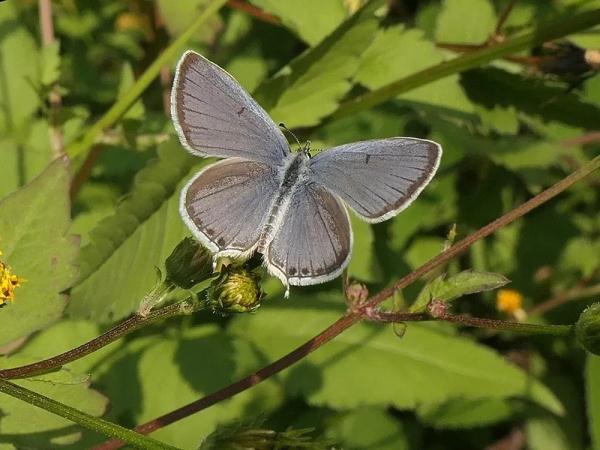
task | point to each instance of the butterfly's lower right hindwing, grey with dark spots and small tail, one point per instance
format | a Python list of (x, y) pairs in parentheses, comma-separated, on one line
[(314, 241)]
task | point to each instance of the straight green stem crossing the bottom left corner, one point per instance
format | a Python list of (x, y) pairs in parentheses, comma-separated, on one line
[(93, 423)]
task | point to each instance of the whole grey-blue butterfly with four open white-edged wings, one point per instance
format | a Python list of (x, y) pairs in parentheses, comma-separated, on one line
[(262, 198)]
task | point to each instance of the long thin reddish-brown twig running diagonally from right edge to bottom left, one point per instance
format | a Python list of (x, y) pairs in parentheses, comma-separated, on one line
[(351, 318)]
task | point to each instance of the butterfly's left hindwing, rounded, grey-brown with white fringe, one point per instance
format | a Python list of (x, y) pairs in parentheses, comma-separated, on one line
[(225, 204)]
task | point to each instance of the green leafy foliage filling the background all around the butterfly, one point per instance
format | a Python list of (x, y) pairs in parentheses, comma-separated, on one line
[(508, 132)]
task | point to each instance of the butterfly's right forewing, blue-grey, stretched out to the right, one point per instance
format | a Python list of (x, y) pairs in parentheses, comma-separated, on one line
[(378, 178)]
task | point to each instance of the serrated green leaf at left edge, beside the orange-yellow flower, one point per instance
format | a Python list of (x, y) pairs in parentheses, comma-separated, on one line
[(34, 223)]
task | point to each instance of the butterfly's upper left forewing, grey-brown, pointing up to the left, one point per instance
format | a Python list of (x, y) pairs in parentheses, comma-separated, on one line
[(215, 116)]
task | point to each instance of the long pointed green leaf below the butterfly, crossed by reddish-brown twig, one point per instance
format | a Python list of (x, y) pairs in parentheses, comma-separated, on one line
[(425, 367)]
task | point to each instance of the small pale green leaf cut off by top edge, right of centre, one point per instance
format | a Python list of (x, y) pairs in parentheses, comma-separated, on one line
[(465, 22)]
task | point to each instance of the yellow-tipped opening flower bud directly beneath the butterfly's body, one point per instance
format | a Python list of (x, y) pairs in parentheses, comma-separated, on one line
[(235, 290)]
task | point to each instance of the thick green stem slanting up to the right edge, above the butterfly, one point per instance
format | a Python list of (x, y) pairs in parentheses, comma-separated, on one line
[(544, 33)]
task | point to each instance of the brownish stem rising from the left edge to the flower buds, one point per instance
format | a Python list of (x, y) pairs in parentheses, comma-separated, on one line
[(129, 325)]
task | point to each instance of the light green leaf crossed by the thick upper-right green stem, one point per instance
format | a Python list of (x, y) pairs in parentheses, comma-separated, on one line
[(396, 53)]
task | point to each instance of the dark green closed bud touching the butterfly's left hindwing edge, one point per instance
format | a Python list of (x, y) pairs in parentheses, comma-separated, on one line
[(188, 264)]
